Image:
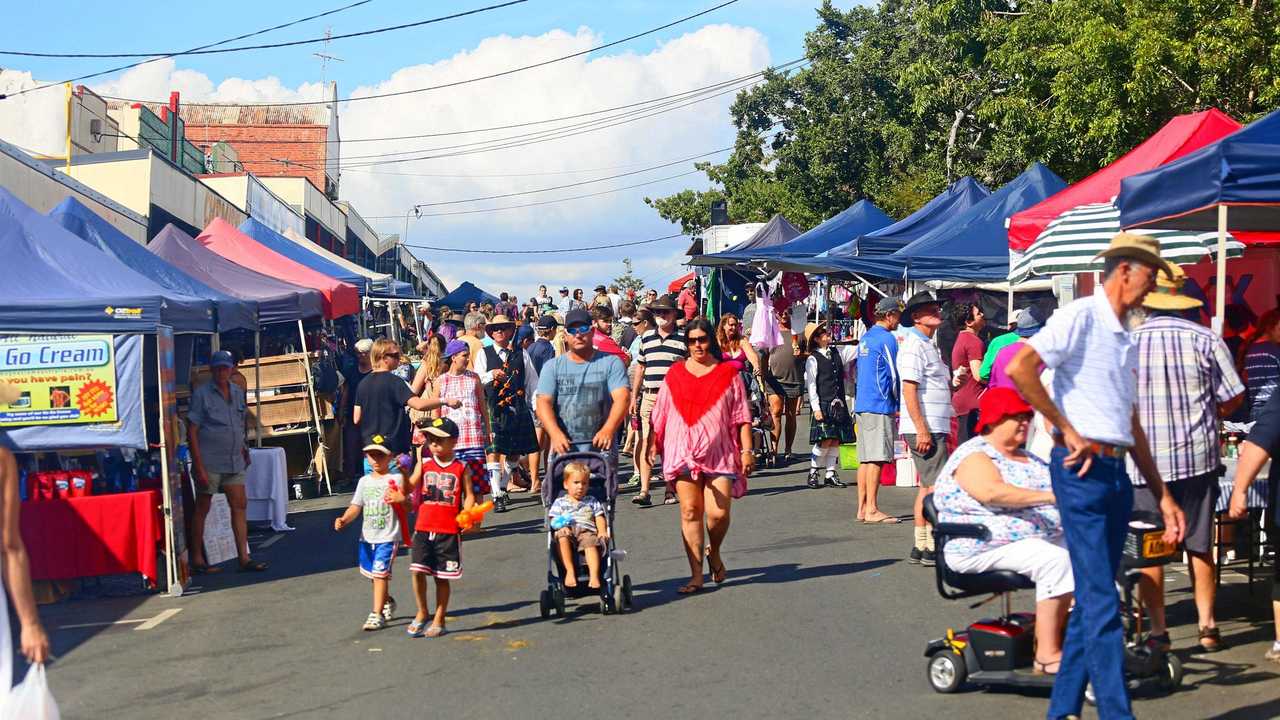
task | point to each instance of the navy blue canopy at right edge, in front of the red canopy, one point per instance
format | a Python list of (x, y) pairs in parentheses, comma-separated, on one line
[(1242, 171)]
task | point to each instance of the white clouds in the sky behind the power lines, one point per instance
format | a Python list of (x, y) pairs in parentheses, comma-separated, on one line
[(705, 57)]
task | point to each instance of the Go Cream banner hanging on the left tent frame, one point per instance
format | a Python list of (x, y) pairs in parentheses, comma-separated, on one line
[(63, 380)]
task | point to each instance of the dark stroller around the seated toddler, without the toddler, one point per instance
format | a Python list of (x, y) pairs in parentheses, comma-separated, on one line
[(615, 591)]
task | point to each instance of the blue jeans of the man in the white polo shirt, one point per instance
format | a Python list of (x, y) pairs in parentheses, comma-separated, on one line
[(1095, 520)]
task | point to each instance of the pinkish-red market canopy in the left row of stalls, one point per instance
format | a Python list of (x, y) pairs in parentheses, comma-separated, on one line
[(222, 238)]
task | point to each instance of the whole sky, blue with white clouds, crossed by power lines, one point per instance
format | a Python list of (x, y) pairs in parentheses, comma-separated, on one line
[(729, 43)]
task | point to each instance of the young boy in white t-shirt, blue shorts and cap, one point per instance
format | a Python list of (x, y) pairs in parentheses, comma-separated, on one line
[(381, 495)]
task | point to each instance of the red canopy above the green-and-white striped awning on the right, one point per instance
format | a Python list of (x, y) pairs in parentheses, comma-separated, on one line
[(1181, 136)]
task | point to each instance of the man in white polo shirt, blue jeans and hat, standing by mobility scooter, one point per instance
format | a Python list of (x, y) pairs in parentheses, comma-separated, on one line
[(1094, 405)]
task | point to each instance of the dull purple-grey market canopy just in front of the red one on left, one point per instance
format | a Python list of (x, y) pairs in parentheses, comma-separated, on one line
[(277, 300)]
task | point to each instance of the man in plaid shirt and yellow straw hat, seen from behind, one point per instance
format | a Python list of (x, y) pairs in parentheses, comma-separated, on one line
[(1186, 376)]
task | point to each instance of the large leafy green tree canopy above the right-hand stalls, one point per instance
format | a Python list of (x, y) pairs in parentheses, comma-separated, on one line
[(899, 101)]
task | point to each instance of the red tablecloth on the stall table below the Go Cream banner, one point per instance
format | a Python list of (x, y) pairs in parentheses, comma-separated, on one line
[(84, 537)]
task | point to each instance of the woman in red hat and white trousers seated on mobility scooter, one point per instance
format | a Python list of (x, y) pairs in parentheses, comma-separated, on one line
[(993, 481)]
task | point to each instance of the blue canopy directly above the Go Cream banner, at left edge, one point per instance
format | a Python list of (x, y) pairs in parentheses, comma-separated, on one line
[(56, 284)]
